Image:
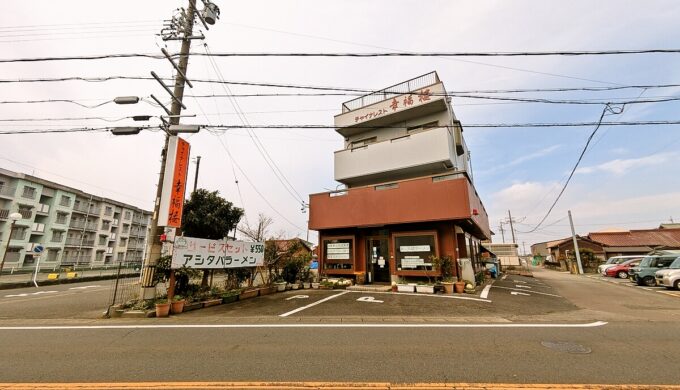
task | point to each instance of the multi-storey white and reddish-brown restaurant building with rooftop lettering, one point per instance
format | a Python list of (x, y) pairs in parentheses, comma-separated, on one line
[(409, 193)]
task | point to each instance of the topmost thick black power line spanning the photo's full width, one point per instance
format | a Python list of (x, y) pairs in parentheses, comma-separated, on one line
[(357, 55)]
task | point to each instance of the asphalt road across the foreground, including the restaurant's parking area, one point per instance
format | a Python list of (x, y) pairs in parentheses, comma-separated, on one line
[(557, 328)]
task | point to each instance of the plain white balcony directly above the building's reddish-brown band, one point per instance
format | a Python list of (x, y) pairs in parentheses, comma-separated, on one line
[(421, 153)]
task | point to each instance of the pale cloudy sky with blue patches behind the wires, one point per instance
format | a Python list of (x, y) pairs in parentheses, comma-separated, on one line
[(627, 179)]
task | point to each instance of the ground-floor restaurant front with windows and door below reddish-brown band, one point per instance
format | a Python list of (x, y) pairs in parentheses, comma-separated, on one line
[(359, 253)]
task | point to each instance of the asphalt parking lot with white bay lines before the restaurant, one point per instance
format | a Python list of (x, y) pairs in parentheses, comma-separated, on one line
[(501, 300)]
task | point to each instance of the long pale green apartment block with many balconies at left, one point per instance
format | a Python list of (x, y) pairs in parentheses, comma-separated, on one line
[(74, 227)]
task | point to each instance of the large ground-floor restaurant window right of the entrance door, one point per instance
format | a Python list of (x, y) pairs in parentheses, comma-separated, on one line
[(414, 252)]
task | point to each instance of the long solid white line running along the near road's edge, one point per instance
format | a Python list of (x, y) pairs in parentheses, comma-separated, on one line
[(316, 325)]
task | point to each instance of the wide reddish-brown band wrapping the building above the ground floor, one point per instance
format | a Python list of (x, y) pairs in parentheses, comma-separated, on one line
[(432, 198)]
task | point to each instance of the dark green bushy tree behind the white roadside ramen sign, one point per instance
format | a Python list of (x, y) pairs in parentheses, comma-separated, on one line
[(207, 215)]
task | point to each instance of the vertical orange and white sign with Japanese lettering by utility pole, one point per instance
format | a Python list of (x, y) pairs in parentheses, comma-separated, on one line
[(174, 183)]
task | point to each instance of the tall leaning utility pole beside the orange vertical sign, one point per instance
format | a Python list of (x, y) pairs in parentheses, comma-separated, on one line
[(154, 246)]
